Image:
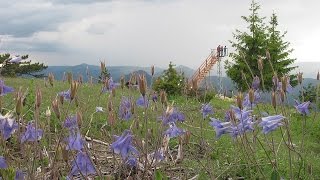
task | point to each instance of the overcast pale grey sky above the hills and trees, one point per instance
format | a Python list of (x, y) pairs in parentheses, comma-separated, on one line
[(144, 32)]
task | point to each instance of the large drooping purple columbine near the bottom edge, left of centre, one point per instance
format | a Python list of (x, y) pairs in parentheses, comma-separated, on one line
[(82, 164)]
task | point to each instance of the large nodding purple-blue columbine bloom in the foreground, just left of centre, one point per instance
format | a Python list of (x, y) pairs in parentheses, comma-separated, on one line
[(123, 145)]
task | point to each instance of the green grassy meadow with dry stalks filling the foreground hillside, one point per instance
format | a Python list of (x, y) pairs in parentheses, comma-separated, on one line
[(196, 154)]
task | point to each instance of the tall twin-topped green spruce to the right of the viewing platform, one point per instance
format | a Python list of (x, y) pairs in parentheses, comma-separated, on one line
[(252, 45)]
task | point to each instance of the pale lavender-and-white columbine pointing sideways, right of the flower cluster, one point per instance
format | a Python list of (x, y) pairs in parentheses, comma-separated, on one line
[(271, 123)]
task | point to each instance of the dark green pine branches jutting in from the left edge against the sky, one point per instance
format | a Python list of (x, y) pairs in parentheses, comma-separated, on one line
[(21, 67)]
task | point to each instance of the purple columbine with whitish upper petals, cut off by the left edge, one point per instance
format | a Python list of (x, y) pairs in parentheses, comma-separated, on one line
[(7, 125)]
